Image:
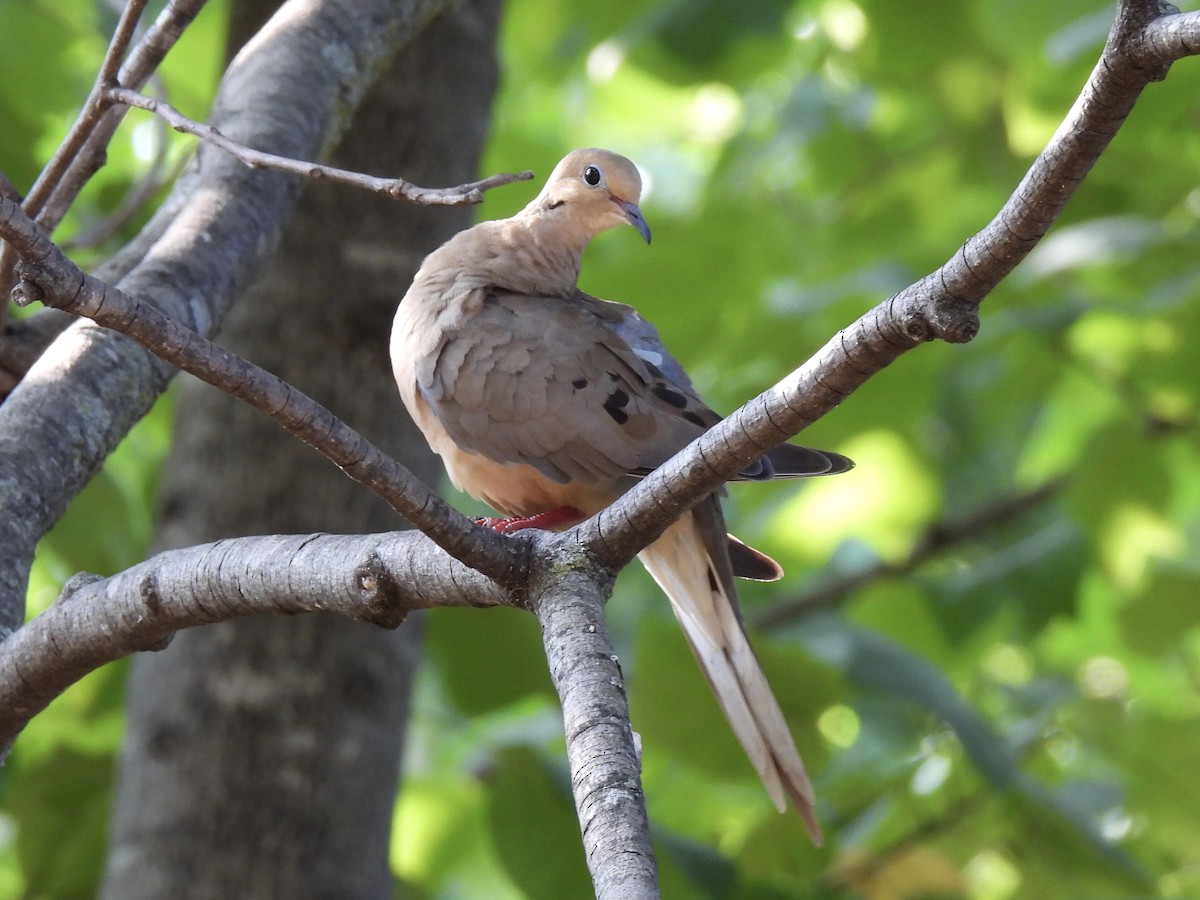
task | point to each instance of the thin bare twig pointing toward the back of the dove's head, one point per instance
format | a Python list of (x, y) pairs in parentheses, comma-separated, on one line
[(394, 188)]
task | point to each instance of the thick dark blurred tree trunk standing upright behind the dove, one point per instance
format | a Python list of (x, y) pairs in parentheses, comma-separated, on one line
[(262, 757)]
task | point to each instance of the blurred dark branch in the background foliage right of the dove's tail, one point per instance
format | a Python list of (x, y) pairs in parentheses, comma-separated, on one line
[(937, 539)]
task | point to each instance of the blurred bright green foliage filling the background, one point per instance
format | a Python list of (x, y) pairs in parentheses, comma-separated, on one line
[(1015, 718)]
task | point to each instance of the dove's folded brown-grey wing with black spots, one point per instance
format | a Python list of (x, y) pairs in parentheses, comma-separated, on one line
[(554, 385)]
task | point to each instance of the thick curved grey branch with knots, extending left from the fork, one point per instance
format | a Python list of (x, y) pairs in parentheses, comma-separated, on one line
[(377, 579)]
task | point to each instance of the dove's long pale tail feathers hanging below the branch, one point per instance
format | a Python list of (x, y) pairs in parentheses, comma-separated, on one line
[(691, 563)]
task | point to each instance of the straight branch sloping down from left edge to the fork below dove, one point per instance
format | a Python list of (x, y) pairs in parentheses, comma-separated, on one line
[(49, 277)]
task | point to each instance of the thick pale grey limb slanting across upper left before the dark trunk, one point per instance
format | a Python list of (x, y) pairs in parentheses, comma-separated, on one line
[(211, 238)]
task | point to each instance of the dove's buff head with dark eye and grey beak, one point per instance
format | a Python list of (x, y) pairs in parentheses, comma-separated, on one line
[(598, 190)]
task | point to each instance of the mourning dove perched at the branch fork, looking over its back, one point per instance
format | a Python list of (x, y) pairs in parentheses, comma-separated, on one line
[(548, 404)]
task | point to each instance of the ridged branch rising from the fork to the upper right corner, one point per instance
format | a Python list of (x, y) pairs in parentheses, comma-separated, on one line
[(943, 305)]
